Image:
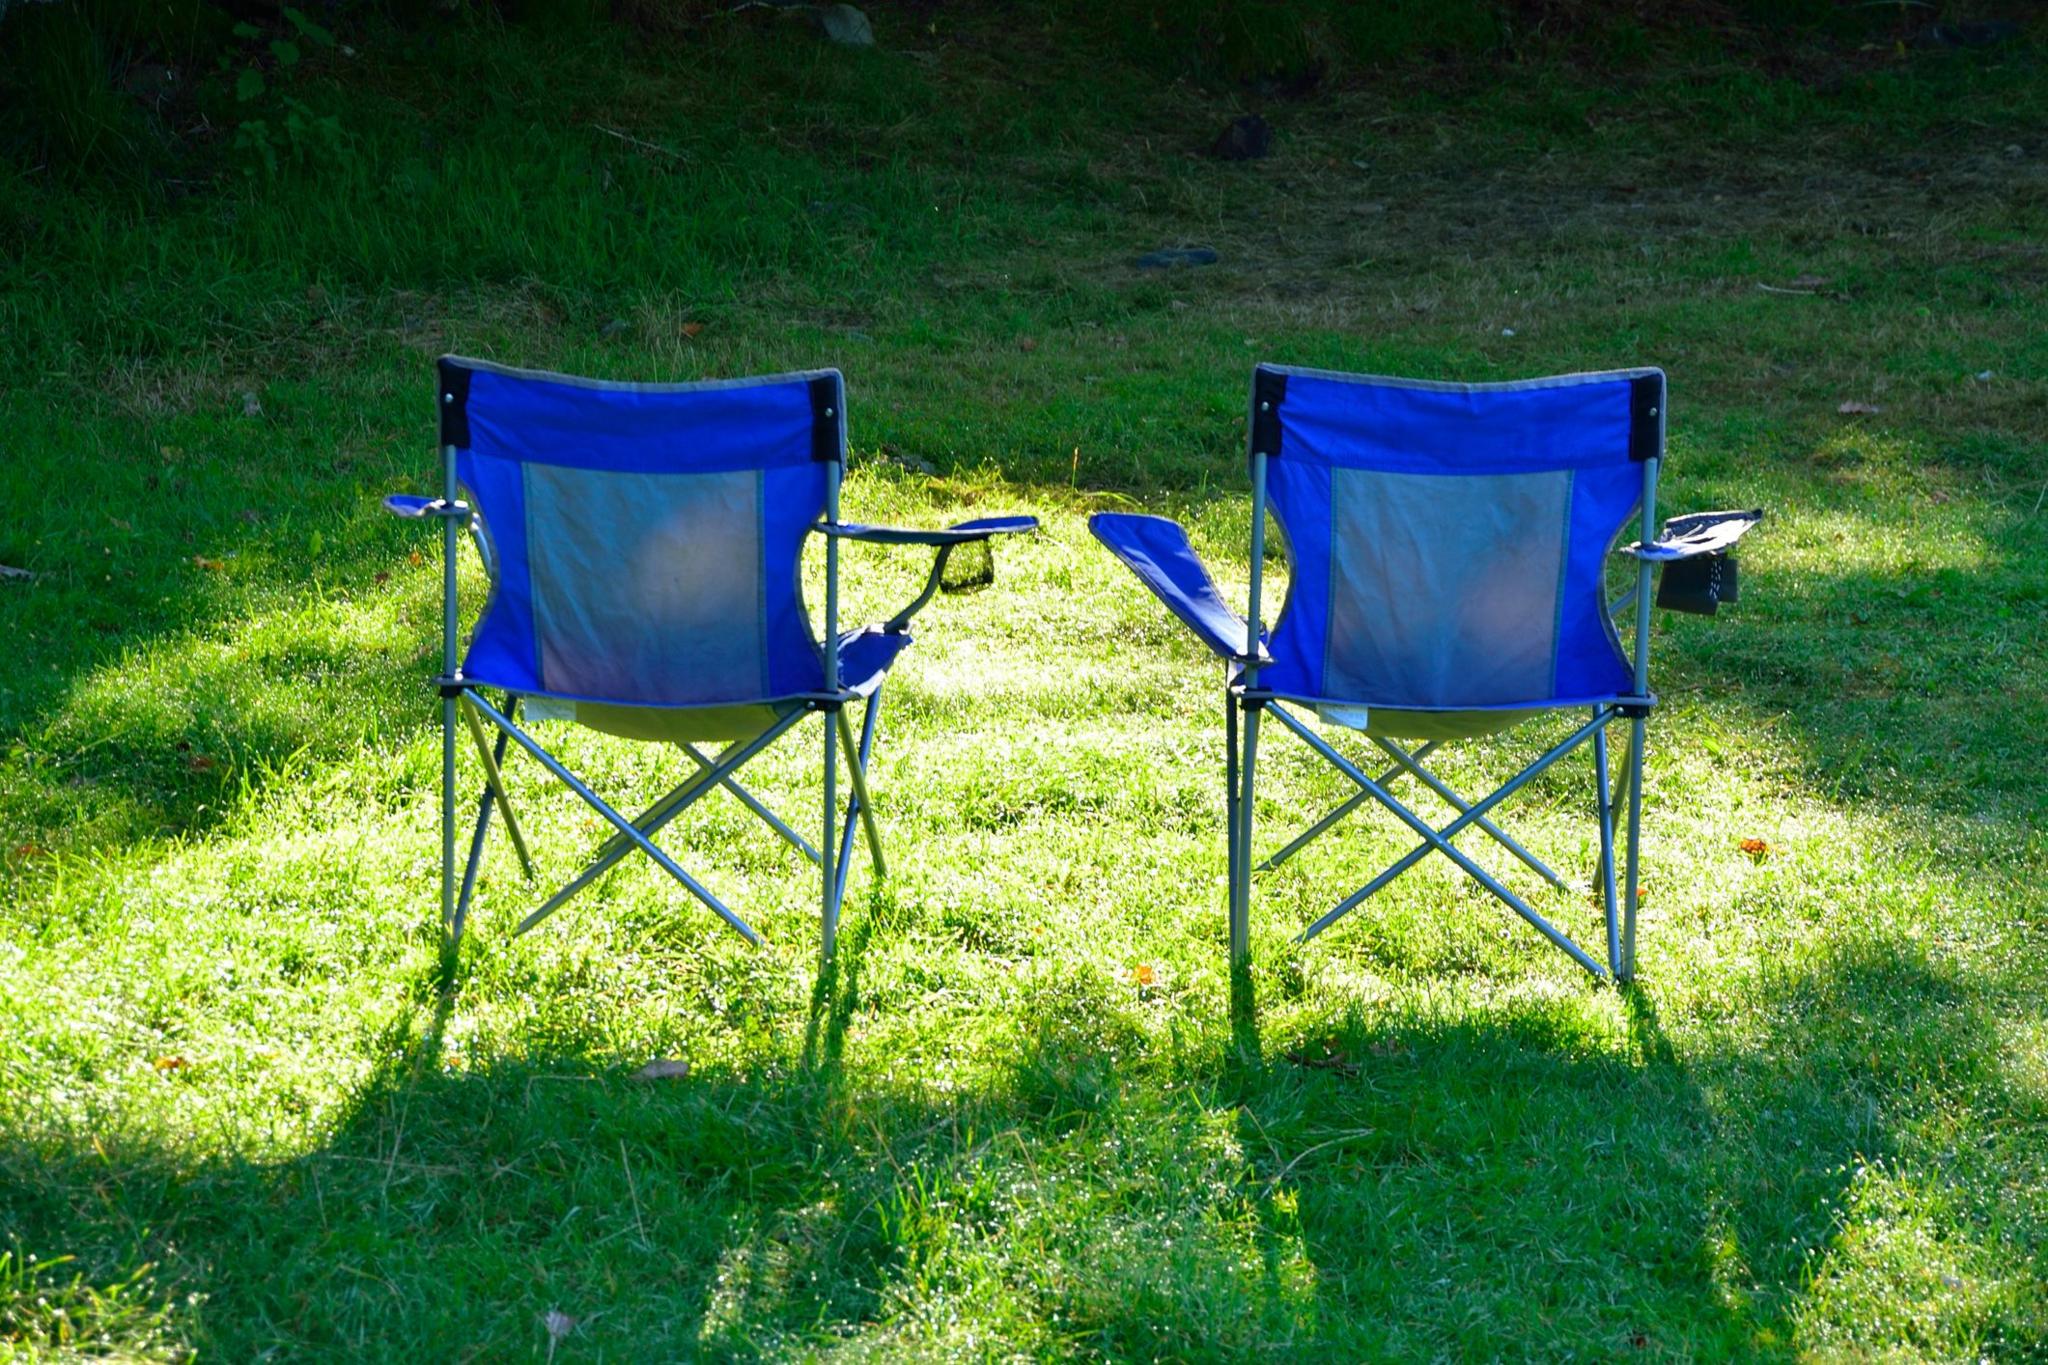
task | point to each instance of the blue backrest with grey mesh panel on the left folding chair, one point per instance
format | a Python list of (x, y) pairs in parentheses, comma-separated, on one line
[(646, 539)]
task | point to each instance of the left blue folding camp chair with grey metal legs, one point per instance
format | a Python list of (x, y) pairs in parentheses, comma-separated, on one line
[(644, 547)]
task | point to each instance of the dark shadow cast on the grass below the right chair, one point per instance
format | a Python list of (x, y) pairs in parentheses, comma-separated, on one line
[(1664, 1196)]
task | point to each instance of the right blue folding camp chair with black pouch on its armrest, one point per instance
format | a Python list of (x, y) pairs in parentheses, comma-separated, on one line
[(1447, 552)]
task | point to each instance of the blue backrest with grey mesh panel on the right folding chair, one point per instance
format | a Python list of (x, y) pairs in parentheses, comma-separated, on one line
[(1447, 543)]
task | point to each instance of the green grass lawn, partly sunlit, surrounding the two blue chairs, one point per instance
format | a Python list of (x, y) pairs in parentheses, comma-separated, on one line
[(241, 1118)]
